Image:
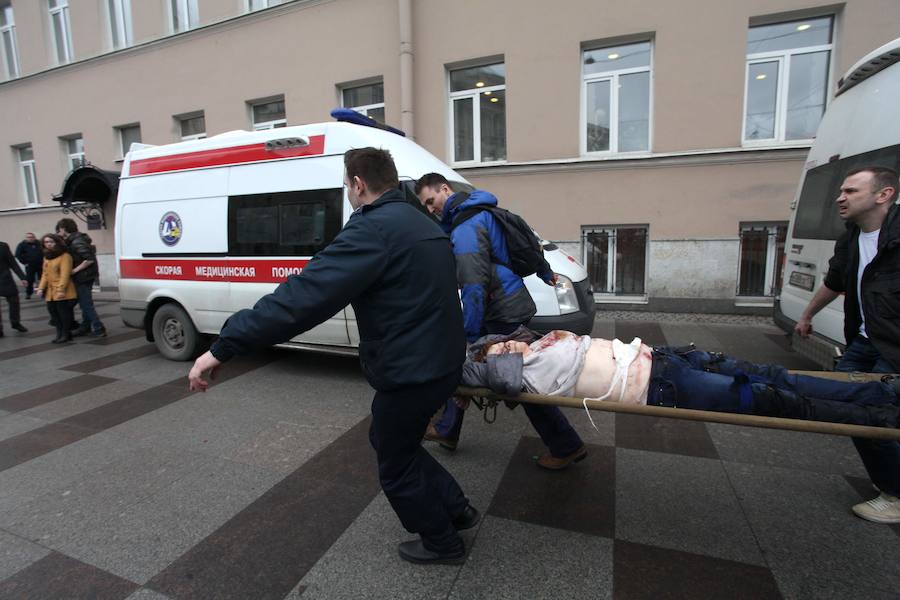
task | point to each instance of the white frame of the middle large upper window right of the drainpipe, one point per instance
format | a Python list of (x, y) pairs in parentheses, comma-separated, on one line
[(613, 78)]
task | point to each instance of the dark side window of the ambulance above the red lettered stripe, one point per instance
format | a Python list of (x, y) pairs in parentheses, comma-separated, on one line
[(283, 223)]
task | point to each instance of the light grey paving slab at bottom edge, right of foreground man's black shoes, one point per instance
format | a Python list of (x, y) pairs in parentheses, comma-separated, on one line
[(514, 560)]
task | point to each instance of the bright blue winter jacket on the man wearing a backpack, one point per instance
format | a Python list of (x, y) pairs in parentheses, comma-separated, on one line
[(490, 290)]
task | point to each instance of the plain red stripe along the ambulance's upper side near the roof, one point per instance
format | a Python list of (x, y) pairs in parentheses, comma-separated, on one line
[(220, 157)]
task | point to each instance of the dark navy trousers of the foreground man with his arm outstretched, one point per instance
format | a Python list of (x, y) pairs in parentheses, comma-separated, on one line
[(424, 495)]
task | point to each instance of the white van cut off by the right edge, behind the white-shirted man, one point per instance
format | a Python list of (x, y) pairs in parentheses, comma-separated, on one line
[(860, 127)]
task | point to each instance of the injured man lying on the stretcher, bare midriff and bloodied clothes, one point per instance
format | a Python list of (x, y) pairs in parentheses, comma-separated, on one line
[(564, 364)]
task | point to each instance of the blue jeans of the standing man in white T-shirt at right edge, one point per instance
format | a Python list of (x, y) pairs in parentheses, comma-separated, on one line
[(880, 457)]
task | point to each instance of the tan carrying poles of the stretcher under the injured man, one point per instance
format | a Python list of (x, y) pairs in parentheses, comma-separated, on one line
[(490, 399)]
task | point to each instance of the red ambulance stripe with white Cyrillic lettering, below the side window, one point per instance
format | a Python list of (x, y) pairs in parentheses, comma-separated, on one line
[(226, 270)]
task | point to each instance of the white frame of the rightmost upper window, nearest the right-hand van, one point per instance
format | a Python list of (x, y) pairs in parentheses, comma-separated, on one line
[(784, 59)]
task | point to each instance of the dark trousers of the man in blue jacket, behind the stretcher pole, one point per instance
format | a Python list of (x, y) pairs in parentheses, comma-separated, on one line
[(550, 423)]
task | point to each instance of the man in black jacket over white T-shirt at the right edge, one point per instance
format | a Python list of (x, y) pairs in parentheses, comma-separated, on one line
[(866, 268)]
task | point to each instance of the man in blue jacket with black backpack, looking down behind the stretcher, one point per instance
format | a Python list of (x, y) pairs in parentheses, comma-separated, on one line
[(495, 300)]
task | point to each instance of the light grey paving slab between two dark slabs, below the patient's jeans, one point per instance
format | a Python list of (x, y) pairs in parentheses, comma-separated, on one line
[(682, 503)]
